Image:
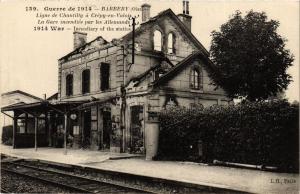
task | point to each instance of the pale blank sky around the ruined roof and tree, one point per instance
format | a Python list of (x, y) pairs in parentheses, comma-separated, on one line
[(28, 59)]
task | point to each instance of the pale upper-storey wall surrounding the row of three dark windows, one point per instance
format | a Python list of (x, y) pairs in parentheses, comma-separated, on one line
[(111, 55)]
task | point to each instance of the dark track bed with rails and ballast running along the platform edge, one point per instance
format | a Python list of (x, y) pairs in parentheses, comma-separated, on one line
[(85, 179)]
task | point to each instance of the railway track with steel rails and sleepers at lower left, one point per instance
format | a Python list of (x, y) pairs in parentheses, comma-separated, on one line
[(74, 183)]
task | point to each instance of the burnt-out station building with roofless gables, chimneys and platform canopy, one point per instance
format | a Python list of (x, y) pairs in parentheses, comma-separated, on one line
[(109, 93)]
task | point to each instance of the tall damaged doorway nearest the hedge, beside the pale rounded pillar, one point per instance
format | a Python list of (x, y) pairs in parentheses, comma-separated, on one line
[(137, 130)]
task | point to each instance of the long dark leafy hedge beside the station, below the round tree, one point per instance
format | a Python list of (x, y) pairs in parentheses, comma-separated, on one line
[(260, 133)]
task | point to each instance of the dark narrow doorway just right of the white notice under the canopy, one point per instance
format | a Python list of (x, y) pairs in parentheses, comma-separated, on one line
[(86, 129)]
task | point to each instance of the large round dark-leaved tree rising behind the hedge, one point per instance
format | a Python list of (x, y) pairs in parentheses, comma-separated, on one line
[(250, 57)]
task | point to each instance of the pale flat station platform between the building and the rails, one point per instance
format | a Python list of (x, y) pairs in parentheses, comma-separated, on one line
[(253, 181)]
